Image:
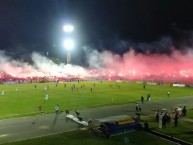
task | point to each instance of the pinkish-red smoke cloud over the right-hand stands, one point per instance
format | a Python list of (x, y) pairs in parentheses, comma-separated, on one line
[(176, 67)]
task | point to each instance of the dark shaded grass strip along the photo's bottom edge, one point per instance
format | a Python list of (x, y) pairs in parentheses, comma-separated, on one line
[(81, 137)]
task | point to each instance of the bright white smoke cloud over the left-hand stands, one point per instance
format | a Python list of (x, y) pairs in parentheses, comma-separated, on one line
[(42, 66)]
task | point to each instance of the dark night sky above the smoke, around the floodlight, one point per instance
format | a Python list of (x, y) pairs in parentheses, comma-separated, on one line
[(147, 26)]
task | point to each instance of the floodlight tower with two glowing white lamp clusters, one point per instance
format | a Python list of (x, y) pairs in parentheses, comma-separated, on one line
[(68, 43)]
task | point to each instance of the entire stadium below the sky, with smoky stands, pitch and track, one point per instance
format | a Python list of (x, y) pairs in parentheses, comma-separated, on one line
[(34, 90)]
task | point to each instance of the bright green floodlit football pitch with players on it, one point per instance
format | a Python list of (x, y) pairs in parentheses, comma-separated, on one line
[(26, 100)]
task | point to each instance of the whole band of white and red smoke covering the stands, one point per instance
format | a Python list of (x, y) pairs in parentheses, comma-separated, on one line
[(176, 67)]
